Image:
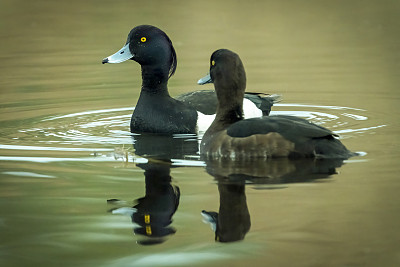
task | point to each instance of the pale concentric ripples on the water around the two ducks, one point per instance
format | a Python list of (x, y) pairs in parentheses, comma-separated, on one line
[(105, 130)]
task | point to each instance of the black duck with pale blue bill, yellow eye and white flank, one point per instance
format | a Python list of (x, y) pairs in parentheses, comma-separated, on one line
[(156, 111)]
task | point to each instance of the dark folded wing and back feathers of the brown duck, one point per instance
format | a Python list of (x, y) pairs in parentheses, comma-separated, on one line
[(308, 139)]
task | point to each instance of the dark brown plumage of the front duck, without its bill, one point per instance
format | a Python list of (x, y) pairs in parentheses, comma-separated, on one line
[(229, 136)]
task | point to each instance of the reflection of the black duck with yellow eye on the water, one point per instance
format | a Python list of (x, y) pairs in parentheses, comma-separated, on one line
[(152, 214)]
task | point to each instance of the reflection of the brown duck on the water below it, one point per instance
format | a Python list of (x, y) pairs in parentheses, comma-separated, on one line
[(232, 222)]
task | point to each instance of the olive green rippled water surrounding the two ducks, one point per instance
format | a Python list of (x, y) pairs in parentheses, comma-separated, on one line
[(65, 147)]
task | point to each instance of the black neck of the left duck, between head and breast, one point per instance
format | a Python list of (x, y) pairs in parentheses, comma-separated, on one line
[(155, 80)]
